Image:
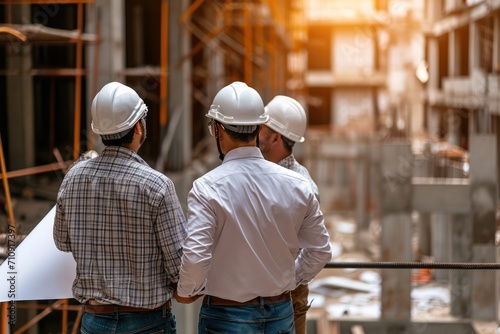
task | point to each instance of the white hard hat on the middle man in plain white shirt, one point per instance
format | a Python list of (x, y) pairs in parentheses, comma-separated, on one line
[(238, 107)]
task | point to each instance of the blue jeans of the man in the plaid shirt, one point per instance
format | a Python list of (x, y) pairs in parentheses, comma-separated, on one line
[(154, 322)]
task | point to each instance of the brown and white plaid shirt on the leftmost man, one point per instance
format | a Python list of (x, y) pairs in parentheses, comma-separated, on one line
[(124, 225)]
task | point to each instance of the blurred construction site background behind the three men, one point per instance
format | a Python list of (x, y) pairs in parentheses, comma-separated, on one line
[(403, 105)]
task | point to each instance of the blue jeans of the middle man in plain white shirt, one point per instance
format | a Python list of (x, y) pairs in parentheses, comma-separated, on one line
[(276, 318)]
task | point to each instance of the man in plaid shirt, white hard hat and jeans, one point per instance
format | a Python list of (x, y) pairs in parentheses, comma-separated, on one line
[(123, 223)]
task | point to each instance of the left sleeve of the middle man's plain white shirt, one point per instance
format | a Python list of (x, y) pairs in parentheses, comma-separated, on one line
[(198, 244)]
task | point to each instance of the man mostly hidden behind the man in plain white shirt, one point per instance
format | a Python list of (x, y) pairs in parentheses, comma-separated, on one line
[(286, 126)]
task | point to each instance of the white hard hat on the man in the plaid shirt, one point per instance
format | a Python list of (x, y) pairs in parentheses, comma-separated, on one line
[(115, 110)]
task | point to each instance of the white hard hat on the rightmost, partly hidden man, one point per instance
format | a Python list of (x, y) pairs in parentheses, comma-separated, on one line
[(287, 117)]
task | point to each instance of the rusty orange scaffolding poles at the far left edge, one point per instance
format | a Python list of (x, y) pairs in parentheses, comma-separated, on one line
[(16, 34)]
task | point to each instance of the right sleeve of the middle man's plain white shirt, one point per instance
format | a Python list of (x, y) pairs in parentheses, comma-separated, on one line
[(315, 245)]
